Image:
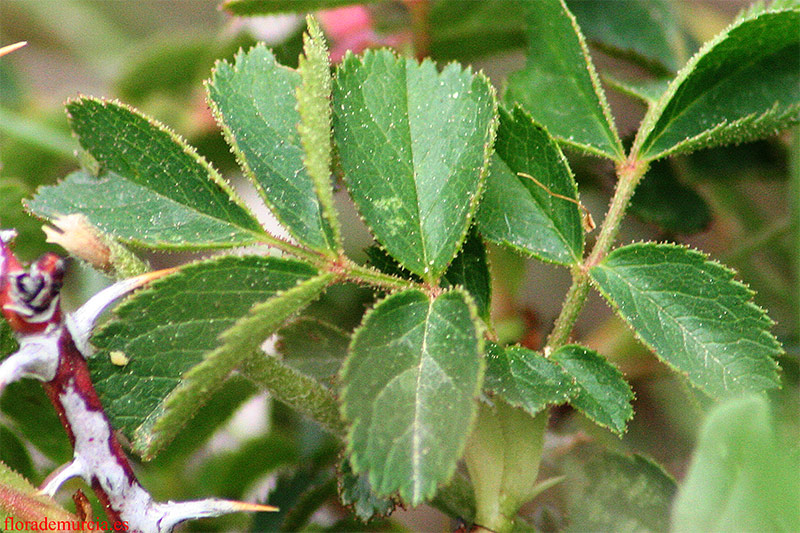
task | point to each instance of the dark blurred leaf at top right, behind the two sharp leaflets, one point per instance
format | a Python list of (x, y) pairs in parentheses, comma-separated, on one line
[(644, 31)]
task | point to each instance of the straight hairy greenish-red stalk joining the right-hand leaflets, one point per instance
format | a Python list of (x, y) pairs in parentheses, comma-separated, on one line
[(629, 173)]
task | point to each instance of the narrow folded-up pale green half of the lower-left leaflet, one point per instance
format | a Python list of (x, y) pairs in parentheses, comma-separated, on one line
[(238, 342)]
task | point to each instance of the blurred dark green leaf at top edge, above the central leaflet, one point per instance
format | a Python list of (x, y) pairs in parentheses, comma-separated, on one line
[(464, 30)]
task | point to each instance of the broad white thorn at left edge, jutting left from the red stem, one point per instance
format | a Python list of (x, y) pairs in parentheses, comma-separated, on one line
[(37, 358)]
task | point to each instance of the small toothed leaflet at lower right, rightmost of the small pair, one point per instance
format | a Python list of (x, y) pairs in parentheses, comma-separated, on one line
[(602, 393)]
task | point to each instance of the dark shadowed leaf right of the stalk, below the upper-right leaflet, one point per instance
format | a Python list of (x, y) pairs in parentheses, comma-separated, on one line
[(663, 200)]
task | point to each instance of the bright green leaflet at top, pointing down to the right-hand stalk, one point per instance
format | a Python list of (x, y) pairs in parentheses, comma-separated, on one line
[(559, 85)]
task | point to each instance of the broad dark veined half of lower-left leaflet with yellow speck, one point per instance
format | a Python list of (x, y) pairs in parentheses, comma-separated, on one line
[(170, 327)]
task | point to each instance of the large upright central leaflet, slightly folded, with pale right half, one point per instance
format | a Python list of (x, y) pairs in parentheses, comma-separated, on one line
[(414, 145)]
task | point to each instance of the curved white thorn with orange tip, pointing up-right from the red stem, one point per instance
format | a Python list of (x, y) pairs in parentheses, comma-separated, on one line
[(81, 322)]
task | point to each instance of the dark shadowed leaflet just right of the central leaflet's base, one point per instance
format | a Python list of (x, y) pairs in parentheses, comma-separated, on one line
[(470, 269)]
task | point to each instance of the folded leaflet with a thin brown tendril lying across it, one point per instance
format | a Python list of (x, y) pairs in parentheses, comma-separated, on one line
[(517, 211)]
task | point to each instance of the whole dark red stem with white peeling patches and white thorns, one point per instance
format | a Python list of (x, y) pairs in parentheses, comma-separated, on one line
[(53, 349)]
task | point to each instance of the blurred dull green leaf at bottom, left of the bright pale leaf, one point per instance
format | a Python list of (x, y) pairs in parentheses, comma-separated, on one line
[(621, 493)]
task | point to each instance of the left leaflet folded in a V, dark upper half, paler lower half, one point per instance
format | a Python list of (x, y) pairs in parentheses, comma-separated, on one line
[(183, 202)]
